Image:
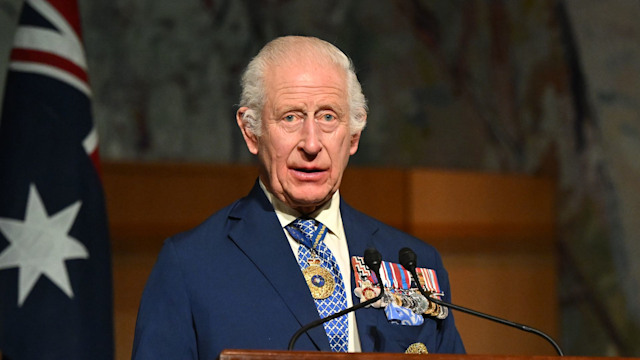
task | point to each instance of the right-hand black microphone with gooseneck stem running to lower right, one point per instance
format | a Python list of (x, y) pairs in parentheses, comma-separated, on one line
[(408, 257)]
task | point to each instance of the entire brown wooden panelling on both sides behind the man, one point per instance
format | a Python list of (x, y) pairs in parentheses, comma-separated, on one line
[(495, 232)]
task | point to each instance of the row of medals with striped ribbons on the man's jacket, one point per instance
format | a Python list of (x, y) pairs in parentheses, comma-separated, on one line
[(400, 290)]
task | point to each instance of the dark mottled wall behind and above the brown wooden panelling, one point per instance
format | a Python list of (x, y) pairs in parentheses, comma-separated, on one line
[(537, 87)]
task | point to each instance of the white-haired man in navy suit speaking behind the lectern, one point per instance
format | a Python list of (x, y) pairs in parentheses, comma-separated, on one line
[(239, 280)]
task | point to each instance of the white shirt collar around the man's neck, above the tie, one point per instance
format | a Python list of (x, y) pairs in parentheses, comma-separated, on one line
[(328, 214)]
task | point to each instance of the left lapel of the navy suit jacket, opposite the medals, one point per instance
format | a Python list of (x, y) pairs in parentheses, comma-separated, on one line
[(257, 232)]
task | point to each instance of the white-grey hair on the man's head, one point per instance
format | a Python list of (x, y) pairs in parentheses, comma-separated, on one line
[(278, 51)]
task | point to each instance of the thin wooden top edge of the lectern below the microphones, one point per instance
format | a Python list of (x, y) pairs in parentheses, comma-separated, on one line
[(318, 355)]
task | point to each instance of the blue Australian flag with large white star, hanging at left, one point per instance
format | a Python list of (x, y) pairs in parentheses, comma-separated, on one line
[(55, 267)]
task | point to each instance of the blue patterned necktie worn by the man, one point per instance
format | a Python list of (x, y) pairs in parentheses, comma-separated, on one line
[(310, 234)]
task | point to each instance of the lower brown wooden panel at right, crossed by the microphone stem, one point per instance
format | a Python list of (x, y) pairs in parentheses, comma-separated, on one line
[(519, 286)]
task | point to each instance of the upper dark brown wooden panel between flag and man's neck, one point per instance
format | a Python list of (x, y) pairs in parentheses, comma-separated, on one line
[(148, 202)]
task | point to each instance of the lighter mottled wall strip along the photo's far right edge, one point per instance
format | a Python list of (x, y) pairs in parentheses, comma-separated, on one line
[(607, 40)]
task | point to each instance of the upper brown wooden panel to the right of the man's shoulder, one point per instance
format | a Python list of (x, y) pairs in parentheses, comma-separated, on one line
[(456, 209)]
